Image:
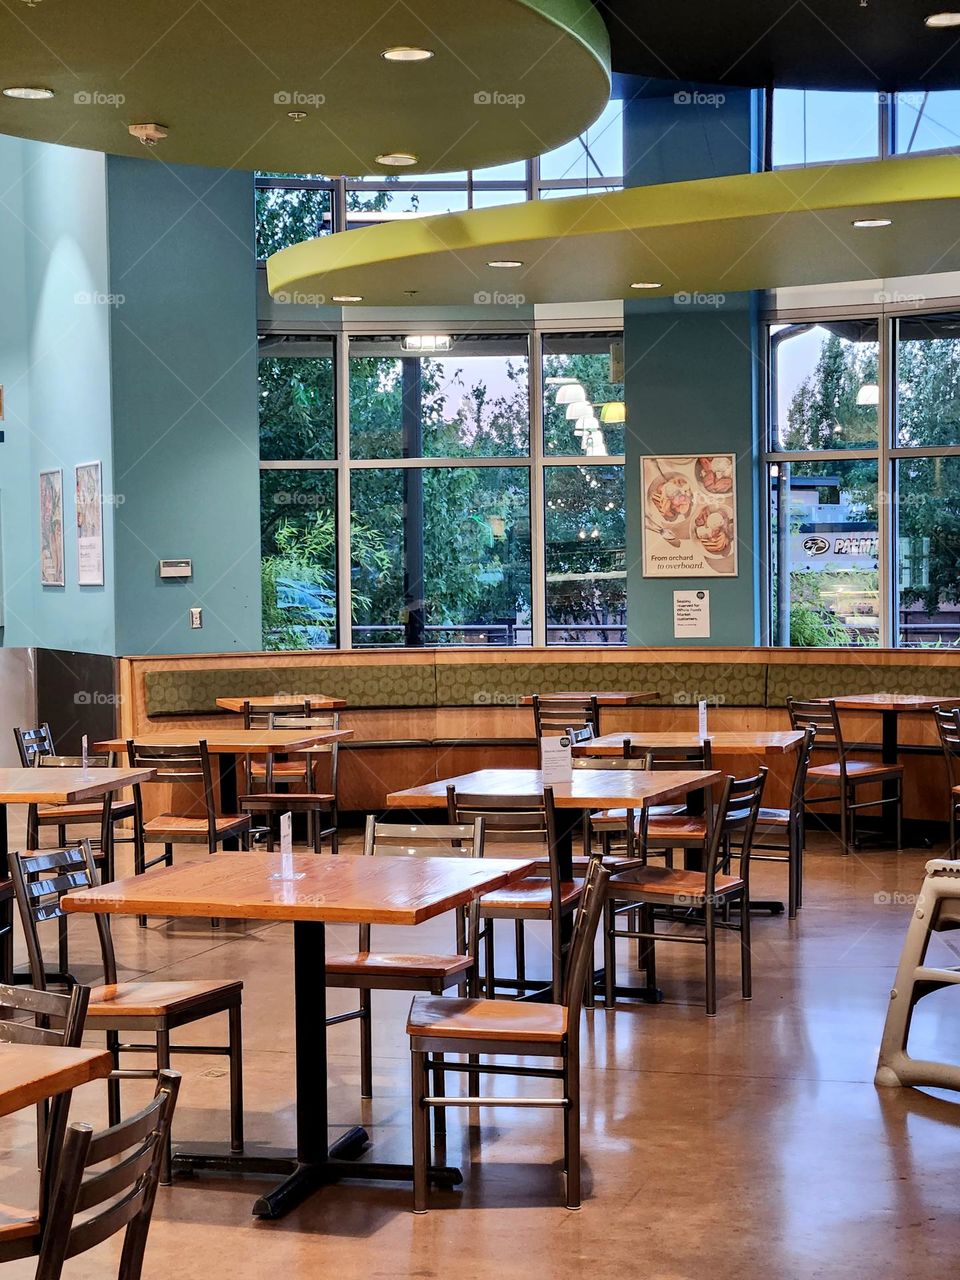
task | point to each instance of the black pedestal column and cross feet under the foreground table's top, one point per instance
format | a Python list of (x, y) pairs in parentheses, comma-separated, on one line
[(313, 1165)]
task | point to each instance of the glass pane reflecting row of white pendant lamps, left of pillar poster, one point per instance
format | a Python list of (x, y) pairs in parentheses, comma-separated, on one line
[(583, 395)]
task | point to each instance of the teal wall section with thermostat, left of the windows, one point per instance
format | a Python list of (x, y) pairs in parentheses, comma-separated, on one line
[(185, 399)]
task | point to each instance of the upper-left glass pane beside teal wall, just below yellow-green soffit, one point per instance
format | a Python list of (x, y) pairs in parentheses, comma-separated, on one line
[(296, 408)]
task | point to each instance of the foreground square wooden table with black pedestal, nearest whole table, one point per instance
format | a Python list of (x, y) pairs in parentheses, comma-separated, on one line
[(309, 892)]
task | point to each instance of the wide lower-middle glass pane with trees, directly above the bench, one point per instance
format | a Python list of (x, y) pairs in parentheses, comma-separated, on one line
[(472, 527)]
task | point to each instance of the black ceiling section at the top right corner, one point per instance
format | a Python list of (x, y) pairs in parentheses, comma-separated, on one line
[(799, 44)]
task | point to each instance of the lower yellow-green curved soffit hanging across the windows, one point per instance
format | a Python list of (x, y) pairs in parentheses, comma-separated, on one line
[(715, 236)]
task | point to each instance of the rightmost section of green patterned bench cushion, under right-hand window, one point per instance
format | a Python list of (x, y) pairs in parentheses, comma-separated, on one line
[(840, 679)]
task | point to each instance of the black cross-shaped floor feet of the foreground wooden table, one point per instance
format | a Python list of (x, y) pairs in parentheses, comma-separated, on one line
[(301, 1178)]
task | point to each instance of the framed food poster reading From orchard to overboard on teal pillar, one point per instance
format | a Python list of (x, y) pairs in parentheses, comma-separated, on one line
[(689, 508)]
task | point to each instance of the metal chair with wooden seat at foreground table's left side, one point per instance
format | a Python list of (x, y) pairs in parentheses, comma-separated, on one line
[(40, 883)]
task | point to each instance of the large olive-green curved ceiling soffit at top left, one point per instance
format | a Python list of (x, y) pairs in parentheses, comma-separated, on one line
[(509, 80)]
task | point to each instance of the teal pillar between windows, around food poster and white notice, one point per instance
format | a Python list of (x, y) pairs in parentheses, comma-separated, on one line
[(692, 368)]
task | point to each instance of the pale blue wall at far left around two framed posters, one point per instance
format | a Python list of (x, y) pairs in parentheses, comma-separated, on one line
[(56, 368)]
